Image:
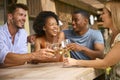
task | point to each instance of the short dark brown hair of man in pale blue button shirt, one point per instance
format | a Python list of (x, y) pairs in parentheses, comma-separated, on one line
[(12, 7)]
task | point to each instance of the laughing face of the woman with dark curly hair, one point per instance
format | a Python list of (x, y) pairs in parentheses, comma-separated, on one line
[(51, 26)]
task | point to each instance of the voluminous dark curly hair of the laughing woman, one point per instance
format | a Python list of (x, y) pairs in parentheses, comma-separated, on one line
[(40, 21)]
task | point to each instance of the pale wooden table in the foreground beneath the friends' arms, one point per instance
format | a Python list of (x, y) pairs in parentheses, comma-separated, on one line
[(48, 71)]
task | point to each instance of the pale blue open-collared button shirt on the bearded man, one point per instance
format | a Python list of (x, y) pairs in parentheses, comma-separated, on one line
[(6, 46)]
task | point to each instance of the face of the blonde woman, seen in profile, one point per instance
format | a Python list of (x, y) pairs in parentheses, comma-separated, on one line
[(106, 18)]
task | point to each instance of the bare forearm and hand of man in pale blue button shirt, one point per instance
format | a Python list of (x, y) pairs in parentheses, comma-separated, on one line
[(14, 59)]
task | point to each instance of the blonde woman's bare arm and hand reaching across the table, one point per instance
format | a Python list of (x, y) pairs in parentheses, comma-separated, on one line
[(112, 58)]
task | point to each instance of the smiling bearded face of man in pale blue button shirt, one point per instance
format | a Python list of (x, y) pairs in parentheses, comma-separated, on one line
[(18, 18)]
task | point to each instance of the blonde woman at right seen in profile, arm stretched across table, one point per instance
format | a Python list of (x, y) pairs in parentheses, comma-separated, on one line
[(111, 19)]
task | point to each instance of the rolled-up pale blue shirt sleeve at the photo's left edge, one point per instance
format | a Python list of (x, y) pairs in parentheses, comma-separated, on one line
[(3, 48)]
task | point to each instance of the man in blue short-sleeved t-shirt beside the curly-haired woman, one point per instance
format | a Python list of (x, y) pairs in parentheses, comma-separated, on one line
[(86, 43)]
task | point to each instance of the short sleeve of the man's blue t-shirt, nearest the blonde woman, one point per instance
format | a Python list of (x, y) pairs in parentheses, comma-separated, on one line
[(98, 37)]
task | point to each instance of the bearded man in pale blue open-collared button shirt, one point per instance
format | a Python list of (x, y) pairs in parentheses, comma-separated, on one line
[(13, 39)]
